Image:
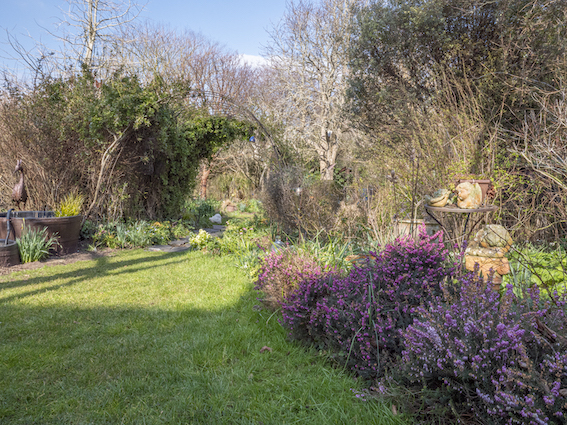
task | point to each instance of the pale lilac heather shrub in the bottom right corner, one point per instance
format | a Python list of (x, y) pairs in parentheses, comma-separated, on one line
[(502, 359)]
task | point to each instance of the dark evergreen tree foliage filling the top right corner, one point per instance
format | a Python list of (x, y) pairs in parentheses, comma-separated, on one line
[(403, 46)]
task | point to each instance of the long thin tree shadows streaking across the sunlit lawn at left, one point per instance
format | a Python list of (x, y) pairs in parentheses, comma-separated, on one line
[(104, 266)]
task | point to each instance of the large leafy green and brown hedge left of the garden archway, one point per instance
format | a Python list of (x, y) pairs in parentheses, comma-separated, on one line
[(139, 143)]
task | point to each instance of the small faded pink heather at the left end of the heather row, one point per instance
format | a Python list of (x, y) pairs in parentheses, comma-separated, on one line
[(281, 273)]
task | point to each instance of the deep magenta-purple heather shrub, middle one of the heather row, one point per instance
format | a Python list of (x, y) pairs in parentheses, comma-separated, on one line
[(359, 316)]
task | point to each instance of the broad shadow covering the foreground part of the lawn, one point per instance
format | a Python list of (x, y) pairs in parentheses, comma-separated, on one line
[(164, 364)]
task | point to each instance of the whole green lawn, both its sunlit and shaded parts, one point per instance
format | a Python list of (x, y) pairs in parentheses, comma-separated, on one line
[(155, 338)]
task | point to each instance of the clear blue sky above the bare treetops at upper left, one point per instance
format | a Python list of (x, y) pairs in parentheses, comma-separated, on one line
[(238, 24)]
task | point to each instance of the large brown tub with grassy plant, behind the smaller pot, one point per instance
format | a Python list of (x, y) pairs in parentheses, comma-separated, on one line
[(68, 229)]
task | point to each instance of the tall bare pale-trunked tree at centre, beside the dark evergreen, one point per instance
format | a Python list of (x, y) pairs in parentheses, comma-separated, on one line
[(309, 55)]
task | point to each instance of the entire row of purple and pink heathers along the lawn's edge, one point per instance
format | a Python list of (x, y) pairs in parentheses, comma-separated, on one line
[(406, 315)]
